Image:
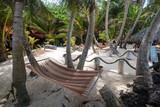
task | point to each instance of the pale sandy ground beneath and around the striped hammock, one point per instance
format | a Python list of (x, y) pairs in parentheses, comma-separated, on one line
[(43, 93)]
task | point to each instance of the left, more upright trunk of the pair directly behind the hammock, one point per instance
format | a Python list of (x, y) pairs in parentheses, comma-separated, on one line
[(68, 48)]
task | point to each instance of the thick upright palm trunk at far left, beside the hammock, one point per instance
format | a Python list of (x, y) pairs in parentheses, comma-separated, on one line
[(19, 72)]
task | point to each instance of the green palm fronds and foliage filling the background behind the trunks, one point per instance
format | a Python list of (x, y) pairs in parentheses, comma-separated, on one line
[(43, 19)]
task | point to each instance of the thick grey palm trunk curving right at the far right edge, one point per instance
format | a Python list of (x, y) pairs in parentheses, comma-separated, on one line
[(142, 71)]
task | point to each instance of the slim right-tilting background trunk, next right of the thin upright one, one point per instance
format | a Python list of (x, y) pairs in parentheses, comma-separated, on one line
[(127, 2)]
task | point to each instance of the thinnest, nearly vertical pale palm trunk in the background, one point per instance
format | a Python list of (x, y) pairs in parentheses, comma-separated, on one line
[(106, 20)]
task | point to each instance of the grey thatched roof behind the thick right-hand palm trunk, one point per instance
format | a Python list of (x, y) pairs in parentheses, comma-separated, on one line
[(137, 37)]
